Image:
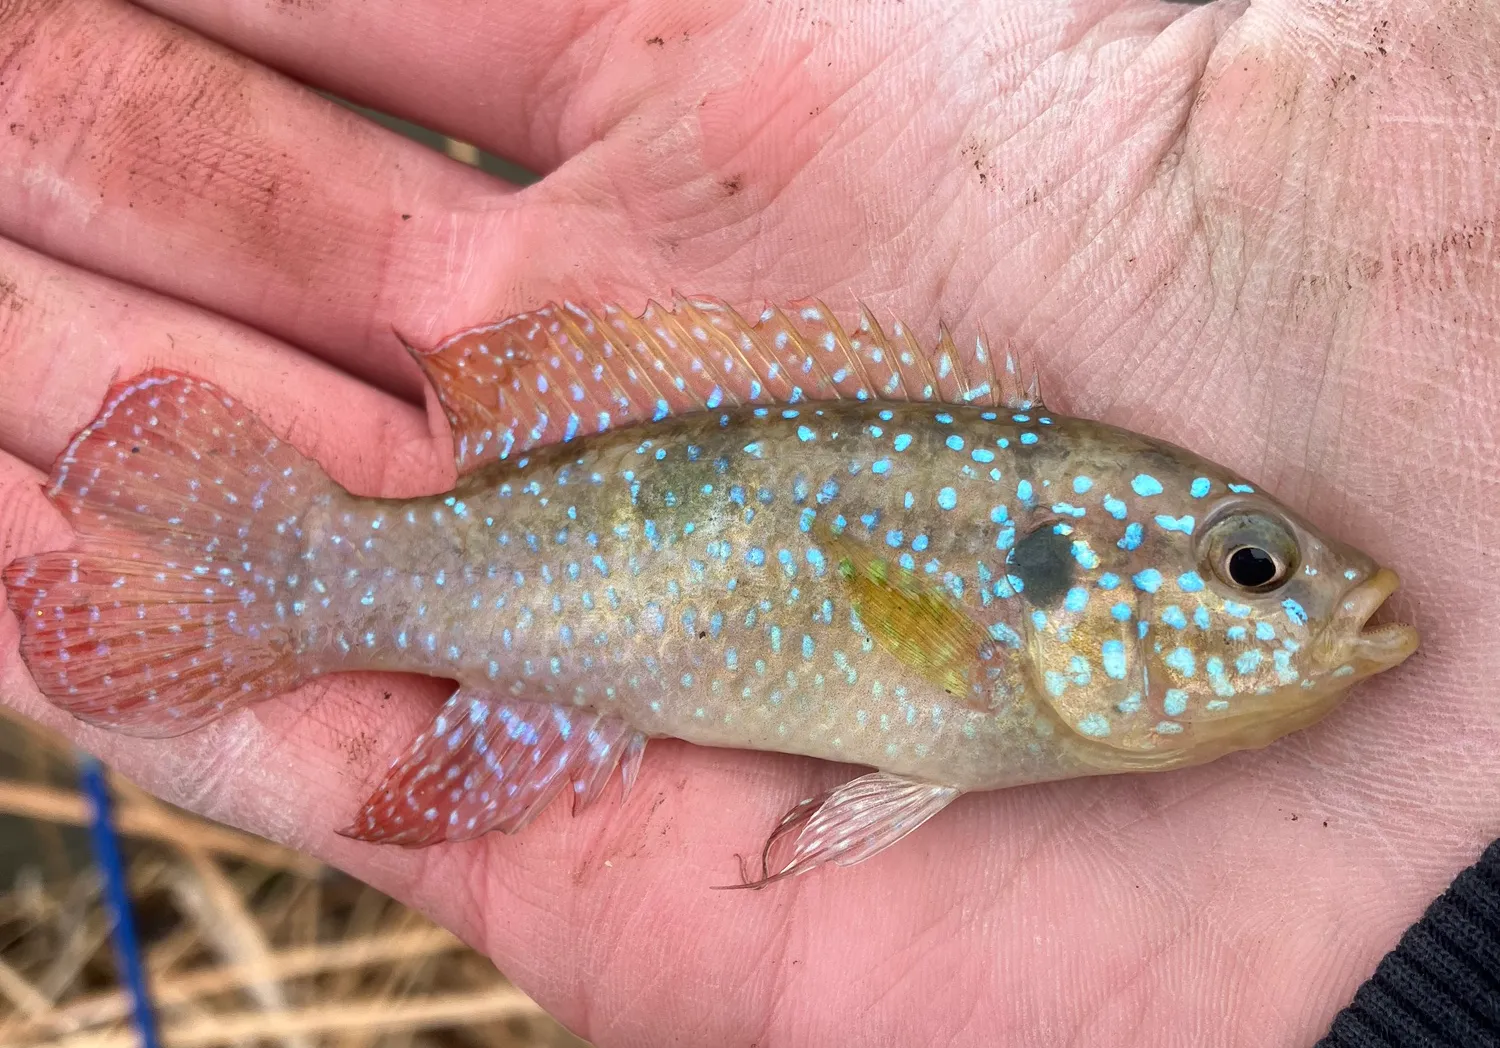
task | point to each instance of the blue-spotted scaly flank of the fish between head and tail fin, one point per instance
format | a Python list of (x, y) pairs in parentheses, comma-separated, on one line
[(679, 578)]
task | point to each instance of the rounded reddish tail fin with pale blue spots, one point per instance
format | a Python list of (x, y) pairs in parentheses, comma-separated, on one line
[(175, 605)]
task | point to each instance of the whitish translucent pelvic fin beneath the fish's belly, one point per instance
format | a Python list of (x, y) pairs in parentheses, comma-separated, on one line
[(848, 825)]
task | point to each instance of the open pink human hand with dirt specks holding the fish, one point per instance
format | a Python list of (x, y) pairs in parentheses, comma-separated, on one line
[(1264, 232)]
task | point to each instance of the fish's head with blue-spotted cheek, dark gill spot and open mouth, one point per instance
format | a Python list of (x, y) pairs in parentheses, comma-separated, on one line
[(1181, 615)]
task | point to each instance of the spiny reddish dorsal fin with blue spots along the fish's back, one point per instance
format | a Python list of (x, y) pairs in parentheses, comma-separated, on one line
[(559, 373)]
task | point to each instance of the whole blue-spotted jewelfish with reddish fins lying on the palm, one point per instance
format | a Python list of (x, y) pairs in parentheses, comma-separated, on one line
[(773, 534)]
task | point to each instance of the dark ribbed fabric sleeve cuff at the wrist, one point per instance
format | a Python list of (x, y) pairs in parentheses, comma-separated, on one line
[(1441, 986)]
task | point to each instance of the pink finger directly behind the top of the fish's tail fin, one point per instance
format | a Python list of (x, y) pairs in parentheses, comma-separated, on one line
[(67, 337)]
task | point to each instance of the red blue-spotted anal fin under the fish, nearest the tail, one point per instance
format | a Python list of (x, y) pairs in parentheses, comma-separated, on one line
[(494, 764)]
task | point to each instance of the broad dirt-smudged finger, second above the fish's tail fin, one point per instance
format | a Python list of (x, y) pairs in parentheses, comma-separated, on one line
[(170, 163)]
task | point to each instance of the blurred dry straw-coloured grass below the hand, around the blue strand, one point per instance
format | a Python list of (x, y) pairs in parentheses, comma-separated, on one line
[(245, 942)]
